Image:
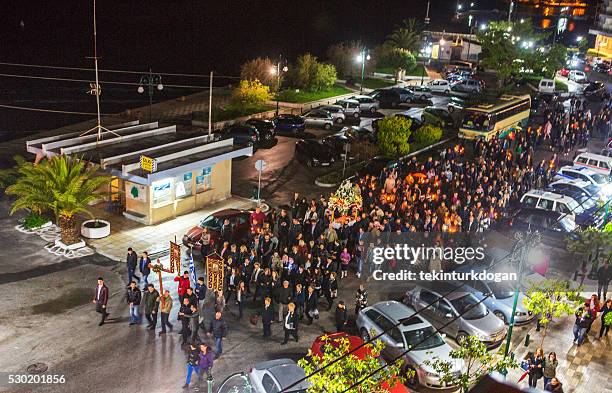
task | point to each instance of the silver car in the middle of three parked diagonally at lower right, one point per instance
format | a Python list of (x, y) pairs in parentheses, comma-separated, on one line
[(469, 316)]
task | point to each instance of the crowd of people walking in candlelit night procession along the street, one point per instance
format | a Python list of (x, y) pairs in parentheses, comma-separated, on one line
[(291, 264)]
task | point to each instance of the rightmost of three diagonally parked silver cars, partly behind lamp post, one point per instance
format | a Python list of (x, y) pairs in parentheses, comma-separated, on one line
[(500, 299)]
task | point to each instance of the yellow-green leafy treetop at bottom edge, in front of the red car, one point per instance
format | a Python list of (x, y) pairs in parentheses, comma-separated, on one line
[(338, 377)]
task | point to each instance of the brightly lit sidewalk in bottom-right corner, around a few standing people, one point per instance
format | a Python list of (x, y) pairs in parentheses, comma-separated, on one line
[(584, 369)]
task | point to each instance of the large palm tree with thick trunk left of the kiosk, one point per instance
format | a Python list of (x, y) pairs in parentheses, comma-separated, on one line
[(63, 185)]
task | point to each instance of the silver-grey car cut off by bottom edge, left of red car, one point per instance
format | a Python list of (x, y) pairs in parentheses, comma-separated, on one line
[(267, 377)]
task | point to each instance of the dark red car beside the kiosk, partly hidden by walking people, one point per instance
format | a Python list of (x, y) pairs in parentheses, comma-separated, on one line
[(238, 221)]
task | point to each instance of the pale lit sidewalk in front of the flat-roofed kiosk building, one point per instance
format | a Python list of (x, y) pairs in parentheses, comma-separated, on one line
[(152, 238)]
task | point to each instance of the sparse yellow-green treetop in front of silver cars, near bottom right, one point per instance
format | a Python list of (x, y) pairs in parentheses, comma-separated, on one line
[(478, 363)]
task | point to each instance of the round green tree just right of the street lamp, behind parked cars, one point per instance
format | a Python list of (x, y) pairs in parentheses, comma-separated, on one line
[(309, 74)]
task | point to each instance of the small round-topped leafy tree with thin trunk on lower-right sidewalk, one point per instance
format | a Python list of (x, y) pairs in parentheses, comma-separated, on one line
[(551, 299)]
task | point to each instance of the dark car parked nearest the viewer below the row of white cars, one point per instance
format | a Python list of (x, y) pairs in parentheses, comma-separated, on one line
[(552, 226)]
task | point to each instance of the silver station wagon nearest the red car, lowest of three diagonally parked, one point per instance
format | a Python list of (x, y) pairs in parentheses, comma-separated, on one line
[(412, 332)]
